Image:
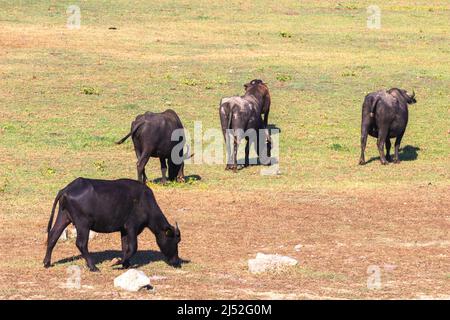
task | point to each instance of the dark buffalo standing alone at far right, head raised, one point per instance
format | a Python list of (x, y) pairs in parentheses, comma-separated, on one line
[(385, 116)]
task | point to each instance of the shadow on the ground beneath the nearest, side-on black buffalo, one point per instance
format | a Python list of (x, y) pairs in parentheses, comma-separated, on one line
[(140, 259)]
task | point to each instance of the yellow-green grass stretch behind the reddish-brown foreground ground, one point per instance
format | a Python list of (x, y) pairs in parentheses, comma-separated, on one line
[(205, 54)]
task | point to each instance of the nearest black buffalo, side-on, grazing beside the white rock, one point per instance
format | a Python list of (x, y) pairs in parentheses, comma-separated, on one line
[(111, 206)]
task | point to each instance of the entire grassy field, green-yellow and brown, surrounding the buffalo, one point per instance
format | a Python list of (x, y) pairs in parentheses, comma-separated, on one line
[(67, 95)]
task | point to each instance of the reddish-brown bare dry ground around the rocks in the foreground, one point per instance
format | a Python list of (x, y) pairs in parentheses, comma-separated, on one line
[(339, 235)]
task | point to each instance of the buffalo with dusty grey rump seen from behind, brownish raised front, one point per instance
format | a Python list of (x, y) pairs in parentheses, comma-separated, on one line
[(242, 116)]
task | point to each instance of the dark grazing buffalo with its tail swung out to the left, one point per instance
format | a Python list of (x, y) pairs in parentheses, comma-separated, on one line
[(152, 135)]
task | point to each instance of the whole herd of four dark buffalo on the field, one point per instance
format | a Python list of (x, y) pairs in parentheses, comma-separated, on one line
[(128, 206)]
